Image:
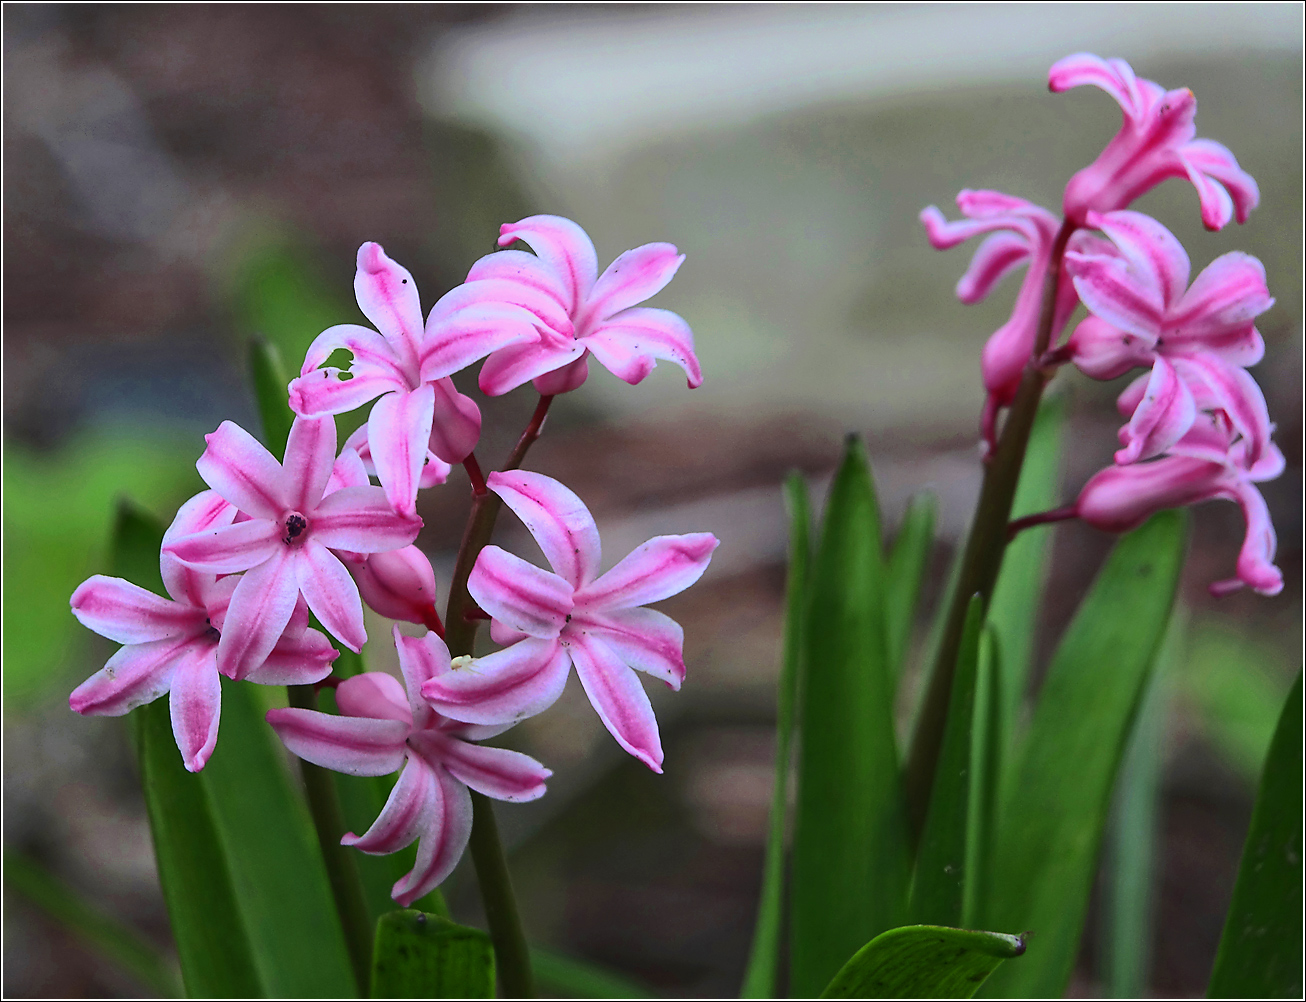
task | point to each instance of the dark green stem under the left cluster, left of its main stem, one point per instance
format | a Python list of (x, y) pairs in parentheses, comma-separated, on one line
[(342, 868)]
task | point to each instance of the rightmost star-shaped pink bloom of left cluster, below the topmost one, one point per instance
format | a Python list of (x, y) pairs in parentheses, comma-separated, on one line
[(574, 617)]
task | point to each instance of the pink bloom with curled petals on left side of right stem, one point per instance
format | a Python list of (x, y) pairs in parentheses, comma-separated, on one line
[(1021, 234)]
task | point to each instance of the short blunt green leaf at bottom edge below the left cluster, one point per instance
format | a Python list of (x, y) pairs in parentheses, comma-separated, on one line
[(420, 956)]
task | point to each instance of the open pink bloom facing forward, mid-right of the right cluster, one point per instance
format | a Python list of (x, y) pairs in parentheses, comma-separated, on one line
[(1198, 338)]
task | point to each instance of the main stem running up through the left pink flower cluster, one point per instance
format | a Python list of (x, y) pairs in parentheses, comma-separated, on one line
[(513, 958)]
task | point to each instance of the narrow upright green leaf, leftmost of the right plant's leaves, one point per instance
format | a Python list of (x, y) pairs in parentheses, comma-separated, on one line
[(759, 980)]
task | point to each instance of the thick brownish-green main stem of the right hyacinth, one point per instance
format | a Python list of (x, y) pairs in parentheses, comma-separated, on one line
[(983, 556)]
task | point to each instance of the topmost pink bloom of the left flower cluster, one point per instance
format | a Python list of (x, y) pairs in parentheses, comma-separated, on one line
[(587, 313)]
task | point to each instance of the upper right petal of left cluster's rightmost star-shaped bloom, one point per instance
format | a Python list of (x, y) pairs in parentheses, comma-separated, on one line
[(656, 570)]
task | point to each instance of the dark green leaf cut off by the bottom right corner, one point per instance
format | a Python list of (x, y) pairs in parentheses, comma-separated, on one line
[(1261, 952)]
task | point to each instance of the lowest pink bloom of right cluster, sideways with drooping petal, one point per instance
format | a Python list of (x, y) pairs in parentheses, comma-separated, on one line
[(1210, 462)]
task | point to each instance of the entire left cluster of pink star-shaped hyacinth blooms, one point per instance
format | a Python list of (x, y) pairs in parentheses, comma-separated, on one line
[(272, 543)]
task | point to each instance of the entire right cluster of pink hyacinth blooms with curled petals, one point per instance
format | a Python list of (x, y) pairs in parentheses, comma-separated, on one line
[(1197, 425)]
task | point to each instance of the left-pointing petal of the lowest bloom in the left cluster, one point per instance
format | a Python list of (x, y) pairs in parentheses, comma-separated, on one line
[(358, 747)]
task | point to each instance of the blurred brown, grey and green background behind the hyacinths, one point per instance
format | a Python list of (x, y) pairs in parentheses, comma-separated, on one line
[(181, 178)]
